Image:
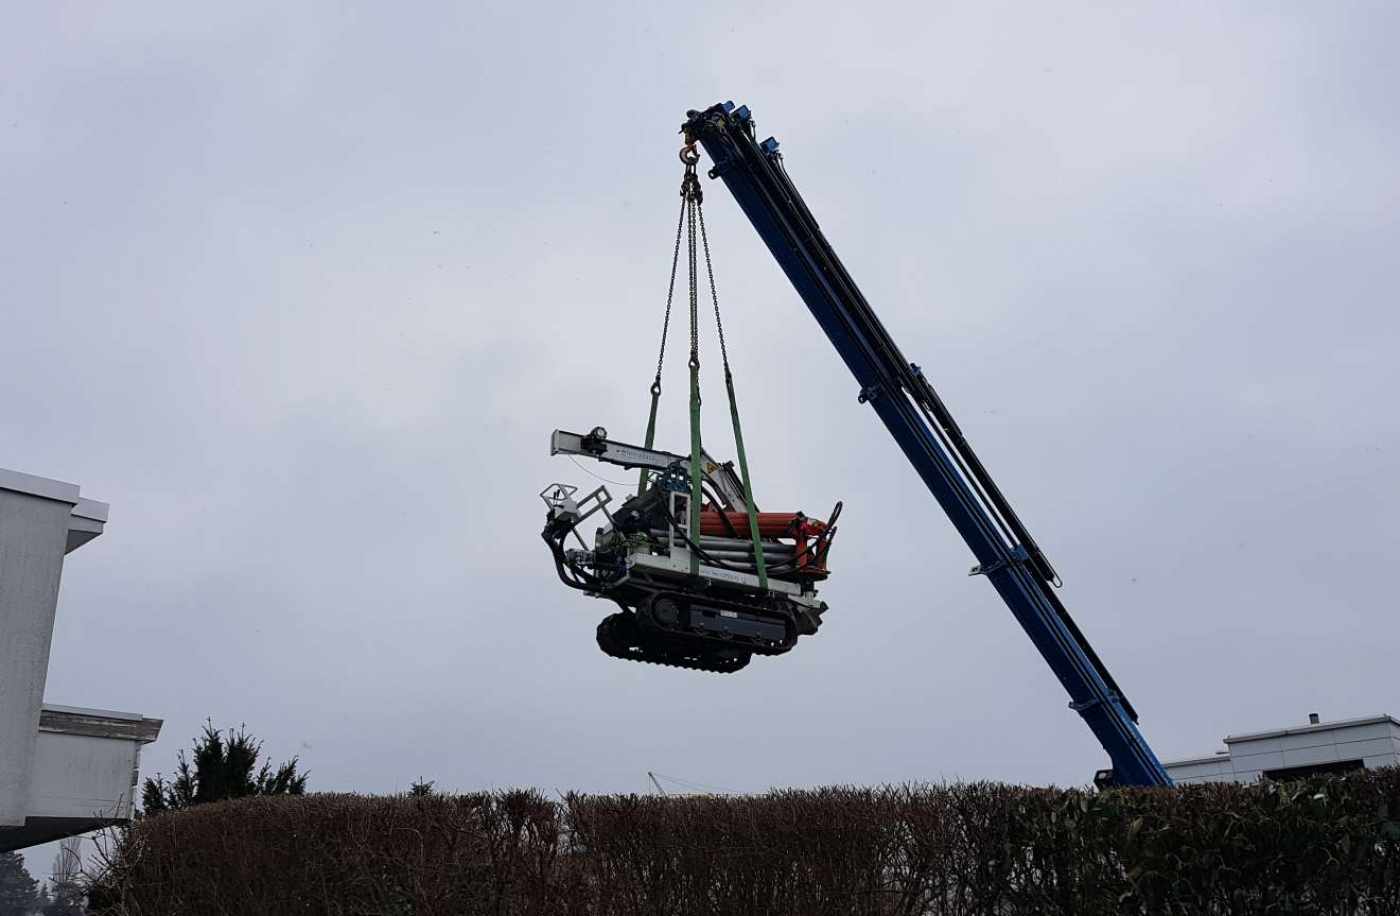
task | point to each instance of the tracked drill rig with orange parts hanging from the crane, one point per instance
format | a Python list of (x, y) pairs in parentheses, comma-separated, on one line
[(684, 600)]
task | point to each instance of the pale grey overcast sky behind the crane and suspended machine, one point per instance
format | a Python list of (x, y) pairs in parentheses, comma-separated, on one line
[(302, 292)]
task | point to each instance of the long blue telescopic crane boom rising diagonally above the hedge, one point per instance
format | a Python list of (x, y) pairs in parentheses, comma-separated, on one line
[(913, 414)]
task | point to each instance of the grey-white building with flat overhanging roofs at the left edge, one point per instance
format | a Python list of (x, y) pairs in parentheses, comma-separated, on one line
[(64, 770)]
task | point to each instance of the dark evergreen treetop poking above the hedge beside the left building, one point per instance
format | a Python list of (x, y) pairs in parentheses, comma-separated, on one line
[(220, 767)]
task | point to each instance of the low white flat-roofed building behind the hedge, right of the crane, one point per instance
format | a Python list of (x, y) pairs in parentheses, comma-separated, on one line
[(1335, 747)]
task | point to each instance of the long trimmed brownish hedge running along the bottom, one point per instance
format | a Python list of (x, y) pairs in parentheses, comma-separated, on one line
[(1314, 847)]
